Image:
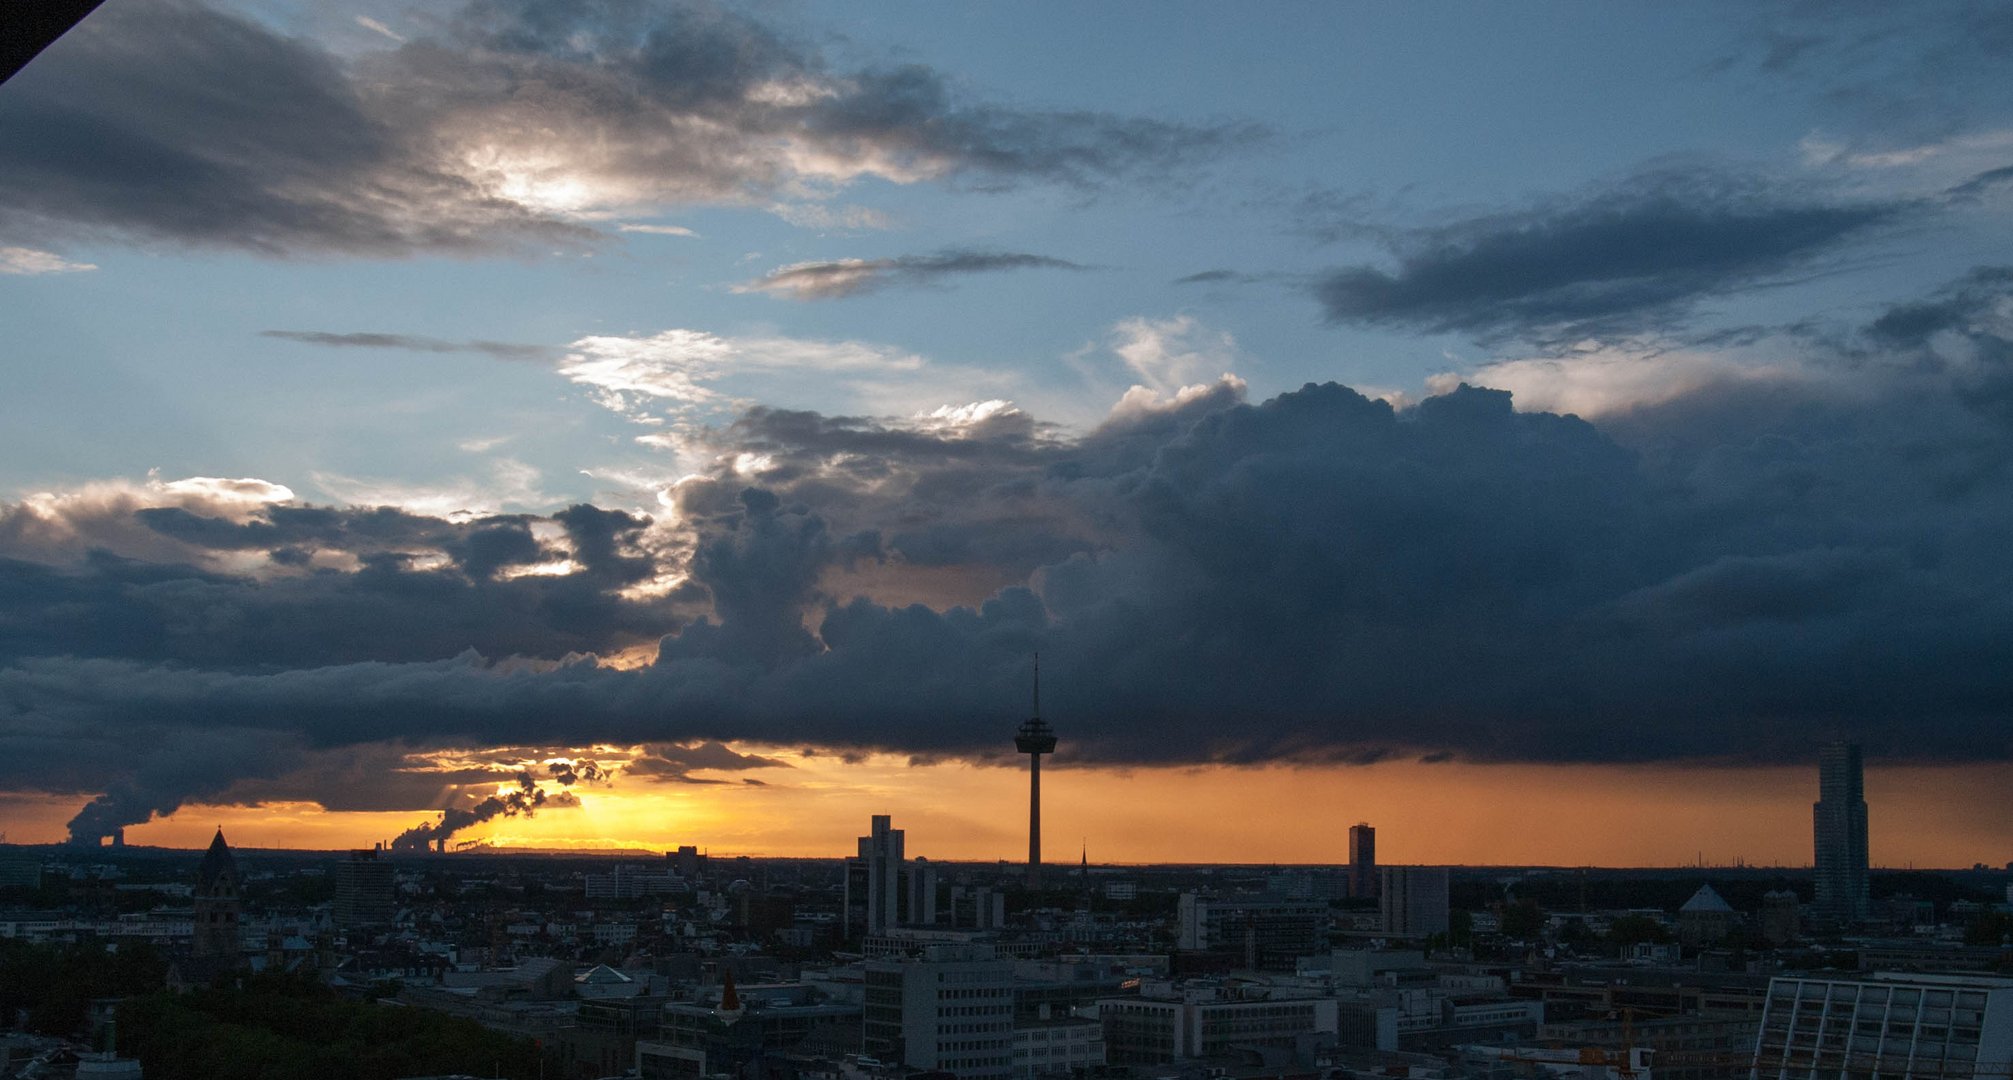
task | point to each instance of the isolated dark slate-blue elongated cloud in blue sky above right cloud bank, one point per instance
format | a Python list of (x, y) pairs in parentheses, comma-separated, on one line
[(1625, 258)]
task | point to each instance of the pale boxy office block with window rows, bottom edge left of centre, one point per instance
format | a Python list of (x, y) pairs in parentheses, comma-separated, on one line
[(951, 1011)]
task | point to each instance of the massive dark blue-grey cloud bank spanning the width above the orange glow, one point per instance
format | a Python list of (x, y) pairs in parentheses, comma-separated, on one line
[(1730, 574)]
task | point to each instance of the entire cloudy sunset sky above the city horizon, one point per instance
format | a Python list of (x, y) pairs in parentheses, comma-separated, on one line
[(637, 423)]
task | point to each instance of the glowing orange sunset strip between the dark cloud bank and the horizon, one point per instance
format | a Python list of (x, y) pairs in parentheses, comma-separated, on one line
[(1426, 814)]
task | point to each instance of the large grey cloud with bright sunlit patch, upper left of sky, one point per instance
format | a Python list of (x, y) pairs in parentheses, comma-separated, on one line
[(180, 124)]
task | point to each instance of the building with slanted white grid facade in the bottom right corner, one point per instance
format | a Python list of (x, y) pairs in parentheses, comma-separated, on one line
[(1889, 1027)]
